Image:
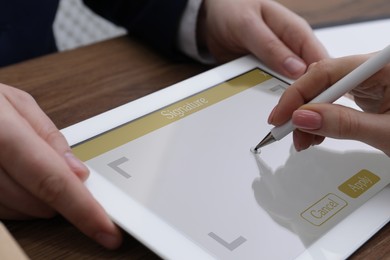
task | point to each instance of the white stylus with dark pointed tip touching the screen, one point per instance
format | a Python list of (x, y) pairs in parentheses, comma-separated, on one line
[(337, 90)]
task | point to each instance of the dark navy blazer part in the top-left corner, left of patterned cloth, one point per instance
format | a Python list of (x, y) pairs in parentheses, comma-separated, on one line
[(26, 29)]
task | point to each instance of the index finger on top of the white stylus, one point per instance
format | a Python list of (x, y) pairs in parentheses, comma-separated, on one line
[(319, 77)]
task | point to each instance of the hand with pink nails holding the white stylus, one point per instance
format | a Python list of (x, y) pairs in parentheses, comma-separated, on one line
[(314, 122)]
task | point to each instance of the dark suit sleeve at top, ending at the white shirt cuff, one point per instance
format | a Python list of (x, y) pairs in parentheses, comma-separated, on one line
[(153, 21)]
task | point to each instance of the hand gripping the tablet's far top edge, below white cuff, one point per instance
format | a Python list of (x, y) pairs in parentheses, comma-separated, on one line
[(277, 36)]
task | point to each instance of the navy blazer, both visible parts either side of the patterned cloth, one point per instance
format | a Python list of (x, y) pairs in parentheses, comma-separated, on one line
[(26, 27)]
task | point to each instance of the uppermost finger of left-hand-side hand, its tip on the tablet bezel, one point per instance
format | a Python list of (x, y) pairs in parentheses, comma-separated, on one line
[(44, 127)]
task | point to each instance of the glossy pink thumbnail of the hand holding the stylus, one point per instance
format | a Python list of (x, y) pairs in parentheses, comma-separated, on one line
[(307, 120)]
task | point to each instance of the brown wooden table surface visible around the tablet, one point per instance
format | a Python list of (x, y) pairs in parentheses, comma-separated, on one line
[(75, 85)]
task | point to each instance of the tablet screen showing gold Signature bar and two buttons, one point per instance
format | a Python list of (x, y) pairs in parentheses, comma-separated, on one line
[(190, 164)]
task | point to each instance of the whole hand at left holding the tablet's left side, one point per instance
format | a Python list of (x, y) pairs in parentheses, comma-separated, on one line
[(39, 176)]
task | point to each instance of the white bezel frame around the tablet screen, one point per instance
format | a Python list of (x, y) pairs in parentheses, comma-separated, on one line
[(167, 241)]
